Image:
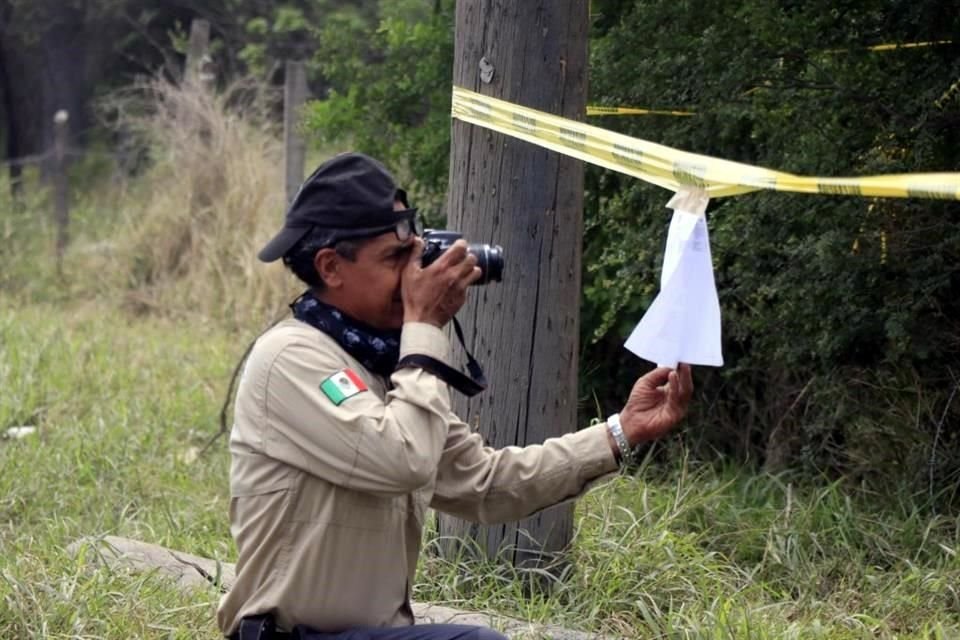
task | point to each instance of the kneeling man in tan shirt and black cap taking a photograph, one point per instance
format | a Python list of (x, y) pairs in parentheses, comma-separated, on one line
[(337, 453)]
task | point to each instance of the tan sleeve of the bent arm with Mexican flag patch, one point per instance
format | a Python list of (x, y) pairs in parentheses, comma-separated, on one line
[(389, 446)]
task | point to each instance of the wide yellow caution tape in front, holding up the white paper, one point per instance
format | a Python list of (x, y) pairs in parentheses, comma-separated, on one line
[(671, 168)]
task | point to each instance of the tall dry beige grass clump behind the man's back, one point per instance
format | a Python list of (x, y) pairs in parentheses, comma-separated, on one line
[(211, 197)]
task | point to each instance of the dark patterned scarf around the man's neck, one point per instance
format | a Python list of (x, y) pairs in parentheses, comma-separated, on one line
[(378, 350)]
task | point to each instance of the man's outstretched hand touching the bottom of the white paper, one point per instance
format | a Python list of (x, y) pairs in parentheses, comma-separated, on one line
[(657, 402)]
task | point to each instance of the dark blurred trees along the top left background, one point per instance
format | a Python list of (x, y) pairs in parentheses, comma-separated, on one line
[(60, 54)]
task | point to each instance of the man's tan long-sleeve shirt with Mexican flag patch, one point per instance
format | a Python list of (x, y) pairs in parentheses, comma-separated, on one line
[(329, 494)]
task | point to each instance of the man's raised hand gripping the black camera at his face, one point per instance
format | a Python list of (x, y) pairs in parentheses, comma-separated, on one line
[(435, 294)]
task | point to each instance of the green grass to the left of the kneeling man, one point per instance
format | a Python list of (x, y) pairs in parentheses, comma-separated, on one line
[(118, 406)]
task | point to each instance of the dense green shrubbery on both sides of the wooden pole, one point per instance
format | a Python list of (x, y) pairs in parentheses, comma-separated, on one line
[(840, 330)]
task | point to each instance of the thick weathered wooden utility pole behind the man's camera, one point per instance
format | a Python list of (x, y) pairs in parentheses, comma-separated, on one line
[(529, 200)]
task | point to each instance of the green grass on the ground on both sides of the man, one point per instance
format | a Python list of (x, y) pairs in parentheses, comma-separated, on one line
[(684, 551)]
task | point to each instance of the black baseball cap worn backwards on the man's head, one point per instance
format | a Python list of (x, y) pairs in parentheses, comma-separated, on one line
[(350, 193)]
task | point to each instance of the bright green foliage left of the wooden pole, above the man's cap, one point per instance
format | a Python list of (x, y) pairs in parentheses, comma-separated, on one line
[(388, 81)]
